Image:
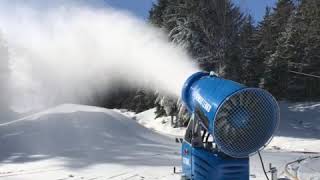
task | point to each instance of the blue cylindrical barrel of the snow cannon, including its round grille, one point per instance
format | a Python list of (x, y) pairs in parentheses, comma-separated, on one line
[(241, 119)]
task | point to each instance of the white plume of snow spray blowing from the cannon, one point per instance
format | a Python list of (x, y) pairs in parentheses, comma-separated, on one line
[(64, 54)]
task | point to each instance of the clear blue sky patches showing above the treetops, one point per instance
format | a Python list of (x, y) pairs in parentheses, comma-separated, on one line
[(141, 7)]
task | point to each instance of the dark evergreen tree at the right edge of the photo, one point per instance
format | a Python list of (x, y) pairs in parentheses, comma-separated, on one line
[(298, 51)]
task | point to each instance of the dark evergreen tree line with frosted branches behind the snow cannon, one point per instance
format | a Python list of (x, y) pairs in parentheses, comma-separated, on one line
[(281, 53)]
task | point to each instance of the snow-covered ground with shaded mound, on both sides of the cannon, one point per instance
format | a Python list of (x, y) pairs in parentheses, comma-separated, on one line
[(82, 142)]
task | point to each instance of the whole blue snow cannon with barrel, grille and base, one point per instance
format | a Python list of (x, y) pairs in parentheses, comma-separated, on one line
[(229, 123)]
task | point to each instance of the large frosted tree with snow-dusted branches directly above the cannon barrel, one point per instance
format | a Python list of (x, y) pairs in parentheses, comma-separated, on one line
[(206, 28)]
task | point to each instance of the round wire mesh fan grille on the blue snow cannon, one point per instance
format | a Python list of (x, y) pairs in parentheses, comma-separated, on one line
[(245, 122)]
